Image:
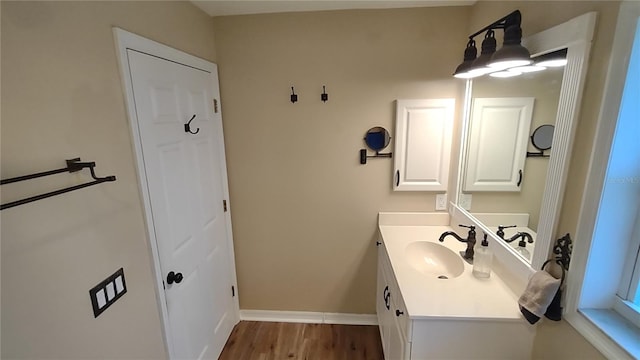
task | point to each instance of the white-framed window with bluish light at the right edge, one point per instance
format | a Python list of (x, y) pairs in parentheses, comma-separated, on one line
[(604, 306)]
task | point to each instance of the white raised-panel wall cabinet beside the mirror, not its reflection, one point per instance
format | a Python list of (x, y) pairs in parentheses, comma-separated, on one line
[(423, 144)]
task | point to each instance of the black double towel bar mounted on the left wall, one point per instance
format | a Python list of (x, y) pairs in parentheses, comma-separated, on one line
[(73, 165)]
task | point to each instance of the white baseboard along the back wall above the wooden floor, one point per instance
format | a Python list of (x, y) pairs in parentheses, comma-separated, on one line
[(309, 317)]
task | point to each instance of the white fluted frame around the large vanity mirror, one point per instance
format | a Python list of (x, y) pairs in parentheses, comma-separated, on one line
[(575, 35)]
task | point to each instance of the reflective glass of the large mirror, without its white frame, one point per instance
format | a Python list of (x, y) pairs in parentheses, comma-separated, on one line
[(512, 212)]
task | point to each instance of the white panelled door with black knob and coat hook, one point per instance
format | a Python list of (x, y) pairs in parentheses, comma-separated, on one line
[(184, 177)]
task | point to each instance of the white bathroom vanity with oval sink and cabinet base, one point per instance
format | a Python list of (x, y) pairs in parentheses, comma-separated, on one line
[(430, 306)]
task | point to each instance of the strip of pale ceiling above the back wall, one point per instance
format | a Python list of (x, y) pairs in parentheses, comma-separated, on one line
[(243, 7)]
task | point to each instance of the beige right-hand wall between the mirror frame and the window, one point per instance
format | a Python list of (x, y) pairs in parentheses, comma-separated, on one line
[(561, 341)]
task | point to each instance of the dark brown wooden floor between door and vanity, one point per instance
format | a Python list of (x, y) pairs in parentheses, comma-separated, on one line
[(272, 341)]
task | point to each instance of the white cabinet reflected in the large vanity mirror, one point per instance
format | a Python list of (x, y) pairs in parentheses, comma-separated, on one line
[(499, 130)]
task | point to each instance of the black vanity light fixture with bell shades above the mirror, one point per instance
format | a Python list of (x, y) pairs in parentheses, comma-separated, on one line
[(512, 53)]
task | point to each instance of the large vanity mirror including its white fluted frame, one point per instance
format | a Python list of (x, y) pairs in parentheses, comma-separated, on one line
[(528, 194)]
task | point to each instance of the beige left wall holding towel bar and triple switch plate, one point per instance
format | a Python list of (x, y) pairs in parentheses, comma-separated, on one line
[(62, 98)]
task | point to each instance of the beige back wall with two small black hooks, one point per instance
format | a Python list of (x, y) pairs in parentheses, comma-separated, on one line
[(304, 209)]
